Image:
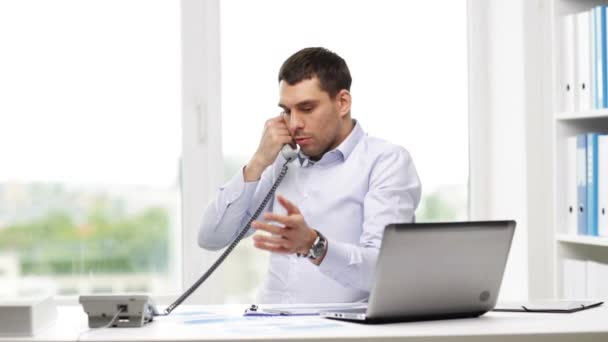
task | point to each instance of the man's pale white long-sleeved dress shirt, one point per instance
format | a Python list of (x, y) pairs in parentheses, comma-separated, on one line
[(349, 195)]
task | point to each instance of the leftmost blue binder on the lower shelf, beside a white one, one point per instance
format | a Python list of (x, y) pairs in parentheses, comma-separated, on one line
[(581, 183)]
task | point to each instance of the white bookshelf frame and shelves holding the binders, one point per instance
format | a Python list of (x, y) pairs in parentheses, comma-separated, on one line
[(567, 247)]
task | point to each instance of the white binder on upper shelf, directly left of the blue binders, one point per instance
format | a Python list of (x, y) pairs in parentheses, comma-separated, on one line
[(582, 59)]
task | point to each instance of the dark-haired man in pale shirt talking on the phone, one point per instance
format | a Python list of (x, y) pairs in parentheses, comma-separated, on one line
[(327, 221)]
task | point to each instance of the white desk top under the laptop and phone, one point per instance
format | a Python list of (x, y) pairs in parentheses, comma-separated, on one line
[(226, 323)]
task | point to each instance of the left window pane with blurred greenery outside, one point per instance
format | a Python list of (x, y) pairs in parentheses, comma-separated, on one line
[(90, 145)]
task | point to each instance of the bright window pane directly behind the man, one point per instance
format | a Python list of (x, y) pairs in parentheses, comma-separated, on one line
[(409, 66)]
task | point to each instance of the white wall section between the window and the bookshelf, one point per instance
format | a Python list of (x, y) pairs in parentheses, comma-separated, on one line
[(507, 135)]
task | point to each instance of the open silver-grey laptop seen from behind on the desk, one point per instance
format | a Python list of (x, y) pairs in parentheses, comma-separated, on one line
[(429, 271)]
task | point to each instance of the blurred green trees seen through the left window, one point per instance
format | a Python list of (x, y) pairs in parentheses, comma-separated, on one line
[(105, 242)]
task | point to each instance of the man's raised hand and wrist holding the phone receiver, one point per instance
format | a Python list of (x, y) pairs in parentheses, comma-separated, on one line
[(276, 134)]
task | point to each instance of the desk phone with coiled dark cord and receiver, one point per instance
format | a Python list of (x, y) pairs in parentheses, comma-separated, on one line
[(135, 310)]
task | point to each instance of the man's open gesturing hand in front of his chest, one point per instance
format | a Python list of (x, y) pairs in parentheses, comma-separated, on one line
[(294, 237)]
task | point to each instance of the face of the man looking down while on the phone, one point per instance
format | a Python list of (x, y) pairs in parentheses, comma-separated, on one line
[(313, 118)]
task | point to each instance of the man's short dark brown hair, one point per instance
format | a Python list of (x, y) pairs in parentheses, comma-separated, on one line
[(327, 66)]
